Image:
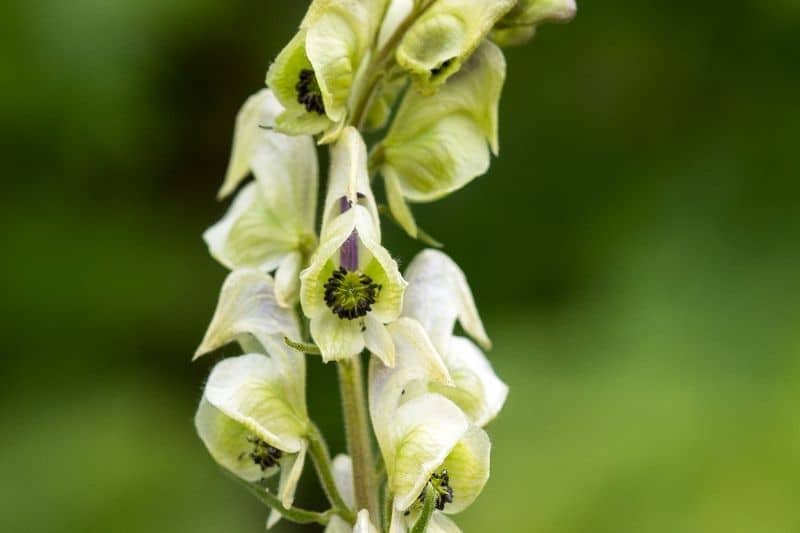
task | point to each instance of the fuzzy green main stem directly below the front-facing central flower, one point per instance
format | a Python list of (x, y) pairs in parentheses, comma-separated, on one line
[(354, 405)]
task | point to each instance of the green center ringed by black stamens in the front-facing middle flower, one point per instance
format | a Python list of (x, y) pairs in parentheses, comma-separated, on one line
[(350, 294)]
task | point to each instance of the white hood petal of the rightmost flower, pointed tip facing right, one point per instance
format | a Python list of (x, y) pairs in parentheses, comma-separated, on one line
[(438, 294)]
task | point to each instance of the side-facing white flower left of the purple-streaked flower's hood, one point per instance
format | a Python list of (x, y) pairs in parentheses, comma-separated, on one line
[(270, 225)]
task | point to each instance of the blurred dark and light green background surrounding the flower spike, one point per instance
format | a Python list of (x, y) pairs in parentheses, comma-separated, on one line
[(634, 253)]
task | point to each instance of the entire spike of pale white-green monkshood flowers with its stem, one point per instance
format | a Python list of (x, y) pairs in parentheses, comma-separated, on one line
[(424, 77)]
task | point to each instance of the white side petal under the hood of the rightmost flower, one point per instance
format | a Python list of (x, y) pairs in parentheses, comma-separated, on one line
[(478, 391)]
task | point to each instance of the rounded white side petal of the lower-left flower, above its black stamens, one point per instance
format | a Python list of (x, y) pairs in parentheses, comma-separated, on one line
[(249, 390)]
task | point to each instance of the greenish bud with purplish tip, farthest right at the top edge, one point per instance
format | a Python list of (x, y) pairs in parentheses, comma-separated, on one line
[(519, 25)]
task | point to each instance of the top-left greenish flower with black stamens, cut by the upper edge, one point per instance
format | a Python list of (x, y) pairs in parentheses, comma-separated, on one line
[(314, 74)]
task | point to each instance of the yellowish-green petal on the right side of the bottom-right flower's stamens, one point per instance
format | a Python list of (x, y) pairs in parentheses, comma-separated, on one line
[(468, 468)]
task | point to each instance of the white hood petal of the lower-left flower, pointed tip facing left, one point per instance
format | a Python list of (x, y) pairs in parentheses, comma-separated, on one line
[(247, 306)]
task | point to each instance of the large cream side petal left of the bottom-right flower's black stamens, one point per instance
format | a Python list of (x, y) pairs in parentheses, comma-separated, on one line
[(426, 430)]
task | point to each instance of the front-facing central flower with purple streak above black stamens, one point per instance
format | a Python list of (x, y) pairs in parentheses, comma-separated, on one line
[(352, 287)]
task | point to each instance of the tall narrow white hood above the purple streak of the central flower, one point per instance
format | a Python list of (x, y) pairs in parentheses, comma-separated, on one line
[(348, 177)]
